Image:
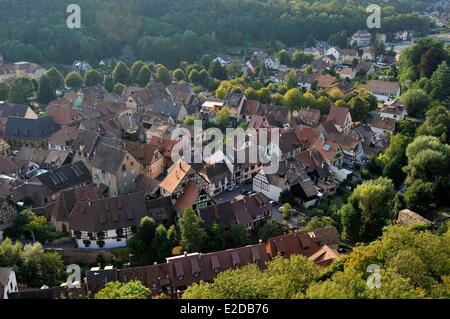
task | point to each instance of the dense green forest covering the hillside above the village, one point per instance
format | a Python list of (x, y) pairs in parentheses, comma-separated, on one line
[(169, 31)]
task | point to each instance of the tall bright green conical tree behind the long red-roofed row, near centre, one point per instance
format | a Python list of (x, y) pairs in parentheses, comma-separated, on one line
[(192, 231)]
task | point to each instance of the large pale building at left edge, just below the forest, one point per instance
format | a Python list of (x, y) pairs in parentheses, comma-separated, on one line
[(10, 72)]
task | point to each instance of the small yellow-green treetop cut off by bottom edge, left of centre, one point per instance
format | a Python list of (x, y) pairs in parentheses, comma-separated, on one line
[(131, 290)]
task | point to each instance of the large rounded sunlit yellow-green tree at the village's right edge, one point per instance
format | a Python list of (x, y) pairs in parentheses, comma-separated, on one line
[(368, 210)]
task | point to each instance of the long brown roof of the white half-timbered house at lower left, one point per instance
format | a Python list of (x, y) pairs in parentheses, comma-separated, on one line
[(108, 213)]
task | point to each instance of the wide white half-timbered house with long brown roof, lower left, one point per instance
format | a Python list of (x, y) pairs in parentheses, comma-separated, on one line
[(106, 222)]
